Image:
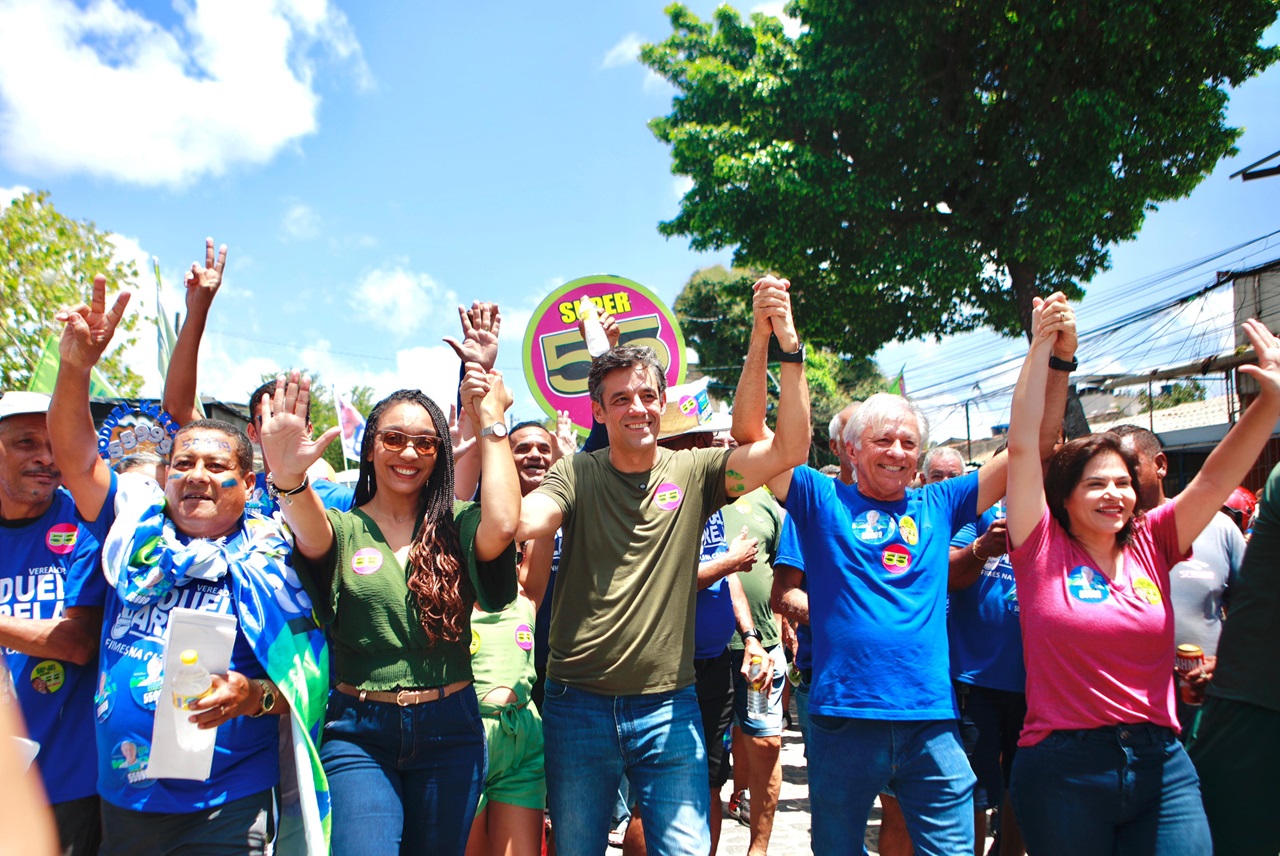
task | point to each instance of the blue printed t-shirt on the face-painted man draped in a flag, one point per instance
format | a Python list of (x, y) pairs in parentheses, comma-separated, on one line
[(246, 754)]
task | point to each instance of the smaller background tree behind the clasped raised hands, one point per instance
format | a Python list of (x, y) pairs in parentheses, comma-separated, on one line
[(715, 313)]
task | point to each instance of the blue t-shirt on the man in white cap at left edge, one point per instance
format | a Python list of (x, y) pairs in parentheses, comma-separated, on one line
[(47, 566)]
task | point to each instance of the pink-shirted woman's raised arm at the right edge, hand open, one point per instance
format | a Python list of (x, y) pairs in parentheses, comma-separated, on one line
[(1232, 460)]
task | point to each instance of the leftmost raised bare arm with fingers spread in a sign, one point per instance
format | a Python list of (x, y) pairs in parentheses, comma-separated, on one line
[(88, 333)]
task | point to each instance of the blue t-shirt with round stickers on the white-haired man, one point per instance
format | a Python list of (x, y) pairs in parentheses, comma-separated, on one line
[(877, 594)]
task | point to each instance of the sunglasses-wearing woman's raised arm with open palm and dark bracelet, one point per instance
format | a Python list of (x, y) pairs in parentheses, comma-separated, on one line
[(287, 445)]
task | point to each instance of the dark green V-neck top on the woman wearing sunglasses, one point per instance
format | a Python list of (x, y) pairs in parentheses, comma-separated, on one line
[(376, 628)]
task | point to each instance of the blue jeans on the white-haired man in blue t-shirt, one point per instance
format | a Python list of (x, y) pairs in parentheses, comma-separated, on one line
[(856, 759)]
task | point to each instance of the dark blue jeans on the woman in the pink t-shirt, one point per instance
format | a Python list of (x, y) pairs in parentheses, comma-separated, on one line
[(1117, 790)]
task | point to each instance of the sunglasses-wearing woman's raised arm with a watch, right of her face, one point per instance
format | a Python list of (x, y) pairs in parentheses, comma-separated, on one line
[(487, 399)]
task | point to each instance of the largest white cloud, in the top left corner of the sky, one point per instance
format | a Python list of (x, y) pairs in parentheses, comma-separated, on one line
[(109, 93)]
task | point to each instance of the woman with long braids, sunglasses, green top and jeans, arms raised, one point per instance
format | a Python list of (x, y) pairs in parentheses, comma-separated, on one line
[(396, 580)]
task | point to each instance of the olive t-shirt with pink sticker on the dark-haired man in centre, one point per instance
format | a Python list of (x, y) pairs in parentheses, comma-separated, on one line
[(623, 615)]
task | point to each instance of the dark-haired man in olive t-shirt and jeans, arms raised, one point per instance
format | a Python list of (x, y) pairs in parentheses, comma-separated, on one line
[(620, 697)]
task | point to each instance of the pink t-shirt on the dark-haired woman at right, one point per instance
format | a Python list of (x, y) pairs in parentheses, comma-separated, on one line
[(1099, 652)]
